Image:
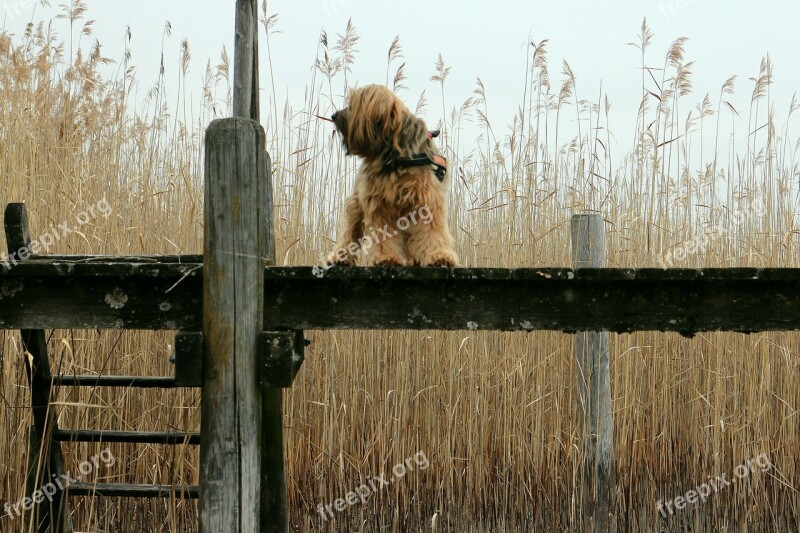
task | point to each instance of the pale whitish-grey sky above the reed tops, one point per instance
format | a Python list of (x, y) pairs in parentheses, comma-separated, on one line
[(485, 39)]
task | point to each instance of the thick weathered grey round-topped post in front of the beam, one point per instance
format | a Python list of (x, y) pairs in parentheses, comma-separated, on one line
[(233, 302)]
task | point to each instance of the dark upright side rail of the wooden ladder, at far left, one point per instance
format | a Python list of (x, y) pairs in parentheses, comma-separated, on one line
[(44, 453)]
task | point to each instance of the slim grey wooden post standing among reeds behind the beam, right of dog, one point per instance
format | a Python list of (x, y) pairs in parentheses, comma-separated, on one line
[(594, 390)]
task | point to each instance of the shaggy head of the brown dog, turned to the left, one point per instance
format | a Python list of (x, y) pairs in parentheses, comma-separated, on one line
[(377, 125)]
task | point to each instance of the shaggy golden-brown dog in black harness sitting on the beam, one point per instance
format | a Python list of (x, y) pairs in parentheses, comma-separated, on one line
[(398, 211)]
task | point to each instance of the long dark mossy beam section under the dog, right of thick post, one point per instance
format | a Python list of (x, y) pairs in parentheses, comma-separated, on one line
[(619, 300)]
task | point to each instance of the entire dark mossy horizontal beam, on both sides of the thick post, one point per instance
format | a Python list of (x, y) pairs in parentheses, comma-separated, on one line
[(39, 293)]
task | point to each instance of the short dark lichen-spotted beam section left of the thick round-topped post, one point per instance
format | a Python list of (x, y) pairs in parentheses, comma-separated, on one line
[(119, 296)]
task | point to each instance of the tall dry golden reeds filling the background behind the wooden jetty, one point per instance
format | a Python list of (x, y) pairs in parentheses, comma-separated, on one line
[(494, 413)]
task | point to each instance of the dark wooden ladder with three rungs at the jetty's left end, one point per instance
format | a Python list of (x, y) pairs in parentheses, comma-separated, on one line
[(45, 459)]
